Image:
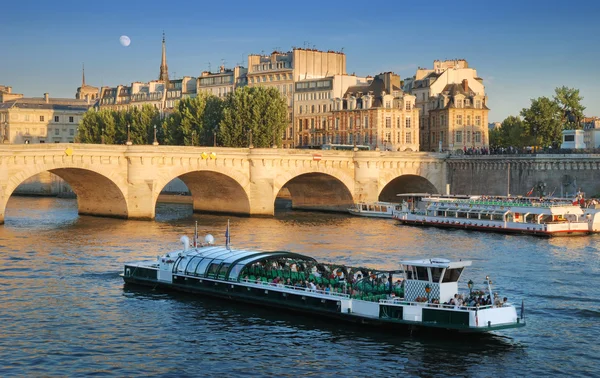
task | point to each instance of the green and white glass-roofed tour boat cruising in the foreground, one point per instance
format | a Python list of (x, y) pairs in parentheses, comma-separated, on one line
[(419, 295)]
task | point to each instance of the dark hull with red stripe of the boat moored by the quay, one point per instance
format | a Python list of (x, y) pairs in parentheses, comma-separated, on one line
[(493, 228)]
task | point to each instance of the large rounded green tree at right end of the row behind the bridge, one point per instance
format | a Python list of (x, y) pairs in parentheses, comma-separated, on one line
[(259, 110)]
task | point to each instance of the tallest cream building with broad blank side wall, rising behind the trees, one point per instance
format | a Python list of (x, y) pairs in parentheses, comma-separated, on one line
[(281, 70)]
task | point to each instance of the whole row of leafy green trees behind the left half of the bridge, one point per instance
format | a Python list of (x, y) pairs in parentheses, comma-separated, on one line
[(195, 121)]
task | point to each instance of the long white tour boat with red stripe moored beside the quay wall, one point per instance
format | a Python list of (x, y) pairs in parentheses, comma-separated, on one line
[(523, 215)]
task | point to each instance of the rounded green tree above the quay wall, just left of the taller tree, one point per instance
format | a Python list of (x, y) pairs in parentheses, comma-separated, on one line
[(542, 122)]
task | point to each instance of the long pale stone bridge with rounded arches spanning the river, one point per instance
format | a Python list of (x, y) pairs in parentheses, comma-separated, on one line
[(125, 181)]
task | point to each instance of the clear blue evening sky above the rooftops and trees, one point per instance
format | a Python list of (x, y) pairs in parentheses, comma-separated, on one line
[(522, 49)]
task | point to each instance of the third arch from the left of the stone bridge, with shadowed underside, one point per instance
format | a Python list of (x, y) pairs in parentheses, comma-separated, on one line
[(316, 191)]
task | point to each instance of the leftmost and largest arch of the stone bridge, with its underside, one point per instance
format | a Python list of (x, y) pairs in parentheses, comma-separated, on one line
[(99, 191)]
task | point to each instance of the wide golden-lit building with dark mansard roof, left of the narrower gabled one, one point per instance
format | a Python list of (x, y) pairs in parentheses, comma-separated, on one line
[(377, 114)]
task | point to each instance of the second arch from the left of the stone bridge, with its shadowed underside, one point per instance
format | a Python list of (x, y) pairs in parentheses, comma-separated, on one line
[(213, 190)]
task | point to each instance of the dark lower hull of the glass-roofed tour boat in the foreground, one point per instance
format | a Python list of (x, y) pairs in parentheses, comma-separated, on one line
[(264, 295)]
